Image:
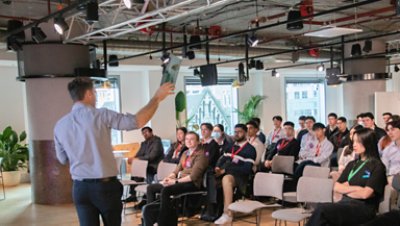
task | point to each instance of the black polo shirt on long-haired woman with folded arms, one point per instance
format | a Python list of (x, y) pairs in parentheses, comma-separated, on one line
[(372, 175)]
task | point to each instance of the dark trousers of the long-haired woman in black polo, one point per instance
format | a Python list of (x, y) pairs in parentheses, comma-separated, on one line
[(343, 213)]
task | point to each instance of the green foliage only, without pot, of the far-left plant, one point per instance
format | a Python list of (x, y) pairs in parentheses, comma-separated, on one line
[(13, 150)]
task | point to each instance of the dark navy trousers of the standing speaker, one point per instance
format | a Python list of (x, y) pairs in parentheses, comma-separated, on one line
[(92, 199)]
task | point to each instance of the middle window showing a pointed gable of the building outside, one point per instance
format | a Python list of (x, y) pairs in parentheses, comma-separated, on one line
[(213, 104)]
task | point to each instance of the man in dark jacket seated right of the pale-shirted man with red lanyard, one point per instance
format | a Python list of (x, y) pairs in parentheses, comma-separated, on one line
[(339, 139)]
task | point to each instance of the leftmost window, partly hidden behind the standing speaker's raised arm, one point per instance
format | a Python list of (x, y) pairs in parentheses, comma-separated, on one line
[(108, 96)]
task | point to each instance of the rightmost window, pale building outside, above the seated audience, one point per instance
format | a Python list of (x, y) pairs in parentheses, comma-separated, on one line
[(313, 105)]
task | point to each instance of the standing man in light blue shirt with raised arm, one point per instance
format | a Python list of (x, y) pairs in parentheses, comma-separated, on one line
[(83, 139)]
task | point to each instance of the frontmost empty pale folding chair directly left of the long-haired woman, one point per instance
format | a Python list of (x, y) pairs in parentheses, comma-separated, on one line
[(309, 189)]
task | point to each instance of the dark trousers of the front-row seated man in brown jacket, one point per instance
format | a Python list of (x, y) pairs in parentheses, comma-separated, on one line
[(167, 215)]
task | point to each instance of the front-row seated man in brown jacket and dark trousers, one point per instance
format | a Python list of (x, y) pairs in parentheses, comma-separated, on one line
[(187, 177)]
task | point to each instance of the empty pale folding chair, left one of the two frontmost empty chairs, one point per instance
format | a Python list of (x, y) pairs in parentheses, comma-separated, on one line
[(265, 184)]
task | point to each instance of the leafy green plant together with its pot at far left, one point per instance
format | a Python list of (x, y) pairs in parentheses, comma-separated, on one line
[(15, 154)]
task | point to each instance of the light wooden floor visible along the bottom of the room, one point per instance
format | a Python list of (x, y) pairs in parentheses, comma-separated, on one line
[(18, 210)]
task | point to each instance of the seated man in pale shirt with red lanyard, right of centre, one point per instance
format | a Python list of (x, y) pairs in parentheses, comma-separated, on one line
[(316, 152)]
